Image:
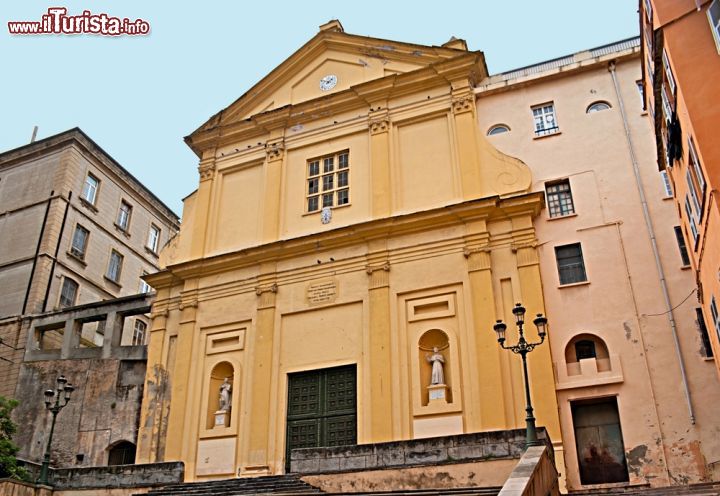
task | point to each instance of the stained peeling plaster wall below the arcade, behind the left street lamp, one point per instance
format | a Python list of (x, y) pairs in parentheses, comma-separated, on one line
[(104, 409)]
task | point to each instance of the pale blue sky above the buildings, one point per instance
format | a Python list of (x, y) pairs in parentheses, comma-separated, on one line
[(137, 97)]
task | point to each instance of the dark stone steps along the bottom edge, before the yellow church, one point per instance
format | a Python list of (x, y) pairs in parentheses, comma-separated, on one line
[(292, 484)]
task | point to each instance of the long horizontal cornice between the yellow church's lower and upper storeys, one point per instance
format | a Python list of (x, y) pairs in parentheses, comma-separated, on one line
[(465, 212)]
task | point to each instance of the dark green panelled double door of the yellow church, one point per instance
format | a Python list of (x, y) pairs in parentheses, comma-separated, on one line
[(322, 409)]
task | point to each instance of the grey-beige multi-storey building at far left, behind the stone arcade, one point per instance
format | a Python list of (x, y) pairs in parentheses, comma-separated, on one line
[(75, 228)]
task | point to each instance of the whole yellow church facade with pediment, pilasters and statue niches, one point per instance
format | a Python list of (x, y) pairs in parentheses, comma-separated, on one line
[(351, 222)]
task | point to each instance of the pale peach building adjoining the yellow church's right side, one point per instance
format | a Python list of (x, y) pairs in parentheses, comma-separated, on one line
[(635, 380)]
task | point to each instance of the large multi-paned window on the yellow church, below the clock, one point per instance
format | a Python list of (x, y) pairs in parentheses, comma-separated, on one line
[(329, 187)]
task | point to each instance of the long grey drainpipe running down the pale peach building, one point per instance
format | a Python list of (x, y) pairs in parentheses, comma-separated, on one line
[(653, 242)]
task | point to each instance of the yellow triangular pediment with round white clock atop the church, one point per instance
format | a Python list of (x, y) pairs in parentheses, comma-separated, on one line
[(331, 62)]
